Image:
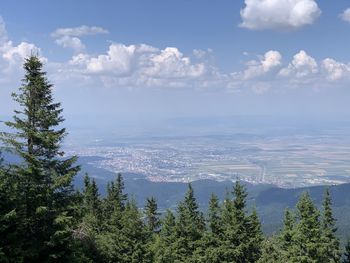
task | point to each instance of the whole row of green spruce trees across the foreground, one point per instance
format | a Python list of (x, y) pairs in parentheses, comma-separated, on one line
[(44, 219)]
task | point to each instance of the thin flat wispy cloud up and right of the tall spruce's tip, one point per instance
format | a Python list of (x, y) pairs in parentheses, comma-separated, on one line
[(69, 37)]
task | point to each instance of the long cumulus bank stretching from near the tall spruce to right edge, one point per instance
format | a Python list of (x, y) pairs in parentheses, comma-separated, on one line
[(141, 65)]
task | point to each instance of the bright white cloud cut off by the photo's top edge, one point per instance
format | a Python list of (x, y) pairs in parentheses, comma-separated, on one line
[(279, 14)]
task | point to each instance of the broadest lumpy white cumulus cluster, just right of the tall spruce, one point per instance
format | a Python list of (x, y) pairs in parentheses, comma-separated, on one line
[(139, 65)]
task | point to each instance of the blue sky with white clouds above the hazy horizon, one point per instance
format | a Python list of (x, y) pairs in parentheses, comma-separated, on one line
[(140, 61)]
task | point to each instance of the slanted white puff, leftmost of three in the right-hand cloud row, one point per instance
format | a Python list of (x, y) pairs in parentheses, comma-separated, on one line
[(270, 61)]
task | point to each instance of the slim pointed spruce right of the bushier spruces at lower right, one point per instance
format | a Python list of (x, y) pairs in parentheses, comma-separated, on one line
[(330, 242)]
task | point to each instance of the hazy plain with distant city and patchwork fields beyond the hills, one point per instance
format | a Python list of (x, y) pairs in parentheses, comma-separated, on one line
[(288, 161)]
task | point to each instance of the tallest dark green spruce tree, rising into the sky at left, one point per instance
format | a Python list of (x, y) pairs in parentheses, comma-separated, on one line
[(44, 177)]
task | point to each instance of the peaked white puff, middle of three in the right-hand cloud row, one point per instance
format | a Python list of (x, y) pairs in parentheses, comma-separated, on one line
[(301, 66)]
